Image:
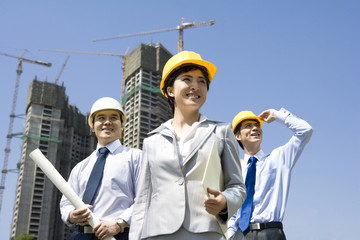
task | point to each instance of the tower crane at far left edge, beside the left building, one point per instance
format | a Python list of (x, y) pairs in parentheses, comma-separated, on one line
[(12, 116)]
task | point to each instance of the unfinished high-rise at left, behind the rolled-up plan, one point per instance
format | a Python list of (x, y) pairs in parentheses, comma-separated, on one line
[(61, 132)]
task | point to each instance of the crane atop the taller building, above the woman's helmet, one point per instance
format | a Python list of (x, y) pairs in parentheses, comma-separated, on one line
[(180, 28)]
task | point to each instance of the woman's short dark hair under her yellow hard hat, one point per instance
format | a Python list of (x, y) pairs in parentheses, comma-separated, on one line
[(169, 81)]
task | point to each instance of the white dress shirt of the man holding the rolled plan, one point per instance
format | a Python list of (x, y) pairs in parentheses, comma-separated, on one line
[(118, 187)]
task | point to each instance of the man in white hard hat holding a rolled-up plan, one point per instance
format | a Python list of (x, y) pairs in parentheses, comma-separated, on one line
[(106, 180)]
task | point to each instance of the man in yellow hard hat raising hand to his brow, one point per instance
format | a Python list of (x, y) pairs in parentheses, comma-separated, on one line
[(267, 176)]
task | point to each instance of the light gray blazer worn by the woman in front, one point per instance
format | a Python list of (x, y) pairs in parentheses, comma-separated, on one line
[(169, 196)]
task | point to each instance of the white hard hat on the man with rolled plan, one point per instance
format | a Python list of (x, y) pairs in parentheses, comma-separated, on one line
[(106, 103)]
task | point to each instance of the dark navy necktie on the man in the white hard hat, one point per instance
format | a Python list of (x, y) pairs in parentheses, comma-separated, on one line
[(95, 177)]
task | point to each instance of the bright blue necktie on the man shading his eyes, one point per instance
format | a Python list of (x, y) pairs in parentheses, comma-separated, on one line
[(247, 207)]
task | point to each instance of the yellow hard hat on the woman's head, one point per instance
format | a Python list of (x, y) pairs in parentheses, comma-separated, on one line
[(185, 57)]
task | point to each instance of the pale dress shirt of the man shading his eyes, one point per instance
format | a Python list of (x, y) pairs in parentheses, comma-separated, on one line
[(273, 174)]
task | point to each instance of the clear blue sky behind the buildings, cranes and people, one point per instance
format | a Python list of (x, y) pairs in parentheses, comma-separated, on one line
[(301, 55)]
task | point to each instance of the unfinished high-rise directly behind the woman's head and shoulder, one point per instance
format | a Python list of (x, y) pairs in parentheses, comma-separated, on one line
[(145, 107)]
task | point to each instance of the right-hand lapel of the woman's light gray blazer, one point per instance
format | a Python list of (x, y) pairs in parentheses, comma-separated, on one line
[(202, 133)]
